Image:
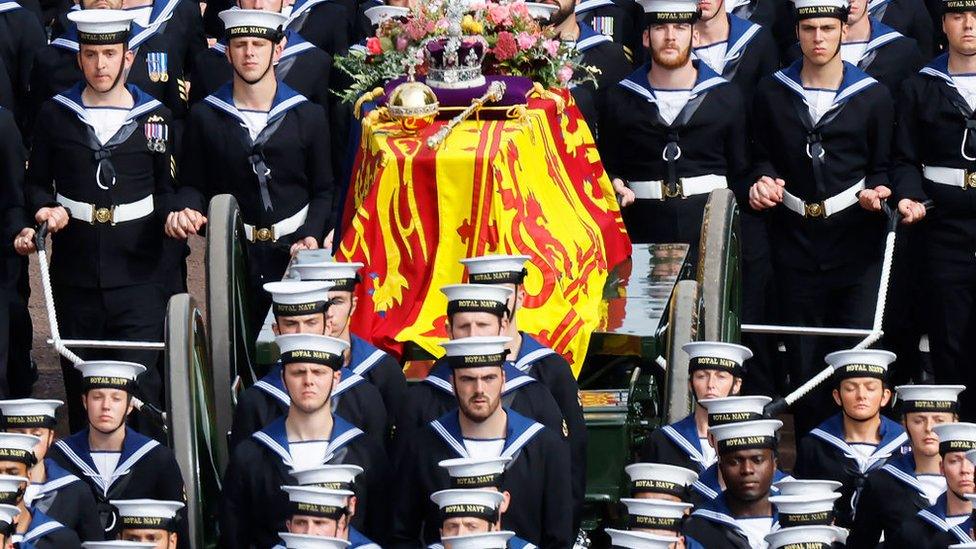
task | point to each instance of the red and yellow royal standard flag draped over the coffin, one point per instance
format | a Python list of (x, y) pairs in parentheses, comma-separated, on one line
[(529, 182)]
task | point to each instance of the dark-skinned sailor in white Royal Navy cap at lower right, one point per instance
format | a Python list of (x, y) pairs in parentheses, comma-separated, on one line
[(742, 515)]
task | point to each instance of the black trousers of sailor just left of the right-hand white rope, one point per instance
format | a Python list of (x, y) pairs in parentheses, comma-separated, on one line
[(843, 297)]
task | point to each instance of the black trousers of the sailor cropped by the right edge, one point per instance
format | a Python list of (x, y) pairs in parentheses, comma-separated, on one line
[(951, 294)]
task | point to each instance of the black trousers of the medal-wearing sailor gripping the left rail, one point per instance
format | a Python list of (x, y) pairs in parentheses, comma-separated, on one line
[(135, 313)]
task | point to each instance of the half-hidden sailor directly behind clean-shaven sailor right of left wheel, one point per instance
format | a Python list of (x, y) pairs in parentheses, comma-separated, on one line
[(300, 307)]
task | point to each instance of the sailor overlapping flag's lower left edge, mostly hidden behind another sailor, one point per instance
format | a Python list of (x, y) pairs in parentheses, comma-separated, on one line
[(381, 369)]
